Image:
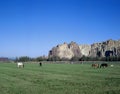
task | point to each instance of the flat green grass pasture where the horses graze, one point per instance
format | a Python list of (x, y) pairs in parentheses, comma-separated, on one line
[(59, 79)]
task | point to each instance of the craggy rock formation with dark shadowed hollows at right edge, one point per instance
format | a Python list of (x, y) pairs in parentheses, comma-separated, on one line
[(104, 49)]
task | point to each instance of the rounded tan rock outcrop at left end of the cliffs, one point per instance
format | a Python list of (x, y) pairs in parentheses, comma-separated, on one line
[(65, 50)]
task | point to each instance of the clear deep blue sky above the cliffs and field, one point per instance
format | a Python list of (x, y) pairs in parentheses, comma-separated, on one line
[(32, 27)]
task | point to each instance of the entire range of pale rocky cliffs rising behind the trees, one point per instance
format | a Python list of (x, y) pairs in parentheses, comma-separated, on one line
[(103, 49)]
